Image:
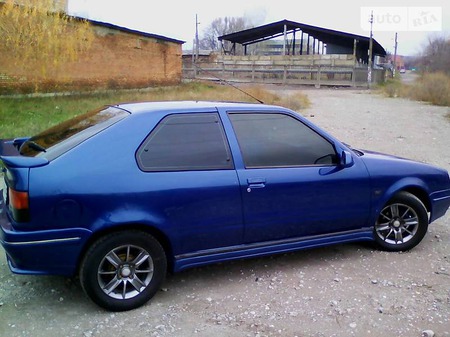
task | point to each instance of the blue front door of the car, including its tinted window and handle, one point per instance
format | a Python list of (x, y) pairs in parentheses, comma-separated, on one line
[(291, 183)]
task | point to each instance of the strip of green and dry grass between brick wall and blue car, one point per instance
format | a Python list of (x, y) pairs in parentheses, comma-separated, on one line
[(26, 116)]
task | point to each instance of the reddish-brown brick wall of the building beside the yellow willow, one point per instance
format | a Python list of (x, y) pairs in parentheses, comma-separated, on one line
[(116, 59)]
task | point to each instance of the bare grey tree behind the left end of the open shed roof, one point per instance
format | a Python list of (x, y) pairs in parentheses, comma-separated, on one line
[(219, 27)]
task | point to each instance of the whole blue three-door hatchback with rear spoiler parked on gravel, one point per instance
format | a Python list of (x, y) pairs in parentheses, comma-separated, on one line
[(121, 195)]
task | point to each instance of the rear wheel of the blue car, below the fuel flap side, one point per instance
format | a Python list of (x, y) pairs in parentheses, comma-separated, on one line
[(123, 270)]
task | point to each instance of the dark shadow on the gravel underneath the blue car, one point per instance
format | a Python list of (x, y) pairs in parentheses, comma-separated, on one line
[(24, 292)]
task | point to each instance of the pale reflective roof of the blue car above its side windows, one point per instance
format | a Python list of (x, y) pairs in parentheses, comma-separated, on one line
[(143, 107)]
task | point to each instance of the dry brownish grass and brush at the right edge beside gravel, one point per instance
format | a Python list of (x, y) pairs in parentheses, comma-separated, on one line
[(430, 87)]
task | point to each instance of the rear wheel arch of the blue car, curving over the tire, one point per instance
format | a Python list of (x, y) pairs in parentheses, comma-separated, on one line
[(155, 232)]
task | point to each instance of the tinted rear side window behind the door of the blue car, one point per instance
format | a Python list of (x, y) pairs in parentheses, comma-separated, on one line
[(186, 142)]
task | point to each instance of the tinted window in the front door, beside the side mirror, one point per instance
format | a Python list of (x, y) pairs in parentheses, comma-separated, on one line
[(278, 140)]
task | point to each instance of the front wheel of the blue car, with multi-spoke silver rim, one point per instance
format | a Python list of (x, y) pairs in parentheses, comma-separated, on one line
[(401, 224)]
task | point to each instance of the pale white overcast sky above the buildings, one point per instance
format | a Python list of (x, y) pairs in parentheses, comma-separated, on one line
[(414, 21)]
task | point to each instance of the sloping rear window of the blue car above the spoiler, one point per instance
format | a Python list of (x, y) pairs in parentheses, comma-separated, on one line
[(60, 138)]
